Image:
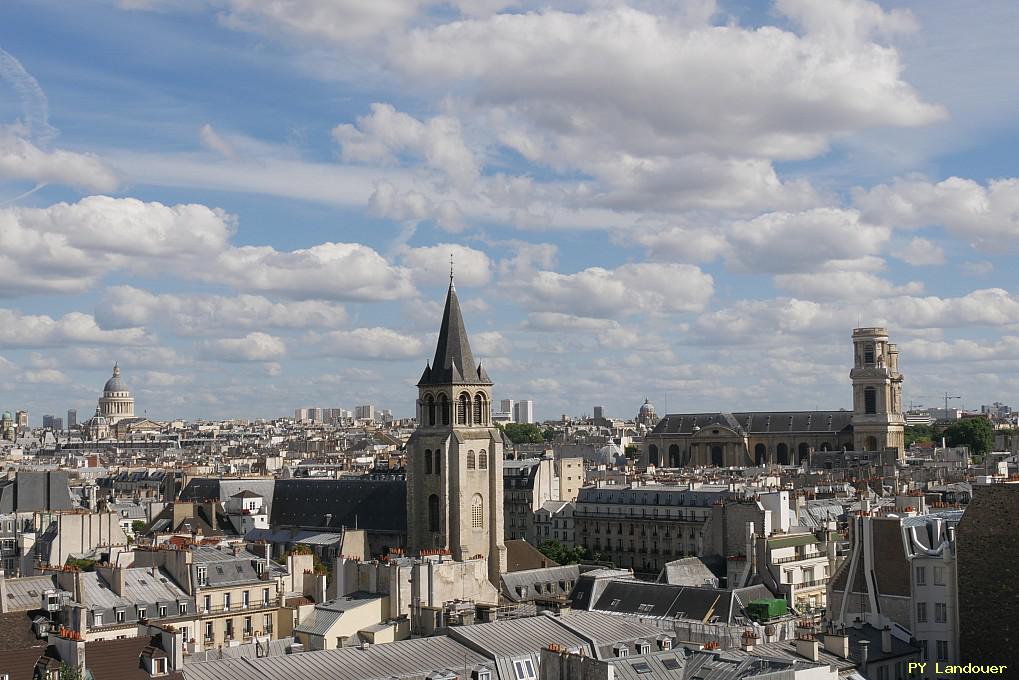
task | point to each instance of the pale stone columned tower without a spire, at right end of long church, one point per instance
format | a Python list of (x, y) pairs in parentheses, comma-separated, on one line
[(878, 421)]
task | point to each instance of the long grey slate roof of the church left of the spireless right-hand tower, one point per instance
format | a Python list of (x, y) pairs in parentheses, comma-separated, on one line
[(758, 423)]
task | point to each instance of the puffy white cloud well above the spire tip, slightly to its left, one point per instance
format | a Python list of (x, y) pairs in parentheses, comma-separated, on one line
[(387, 135)]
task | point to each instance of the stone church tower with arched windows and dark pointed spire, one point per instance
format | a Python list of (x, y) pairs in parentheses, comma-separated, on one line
[(455, 457)]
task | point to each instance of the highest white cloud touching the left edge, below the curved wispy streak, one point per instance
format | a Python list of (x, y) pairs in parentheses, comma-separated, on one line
[(21, 160)]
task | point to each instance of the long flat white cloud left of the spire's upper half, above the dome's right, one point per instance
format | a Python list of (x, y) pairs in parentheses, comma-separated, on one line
[(125, 306)]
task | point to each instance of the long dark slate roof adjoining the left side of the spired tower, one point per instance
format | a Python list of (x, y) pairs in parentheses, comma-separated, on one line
[(374, 505)]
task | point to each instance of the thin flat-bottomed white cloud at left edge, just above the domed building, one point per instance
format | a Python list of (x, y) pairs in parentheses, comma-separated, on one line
[(25, 331)]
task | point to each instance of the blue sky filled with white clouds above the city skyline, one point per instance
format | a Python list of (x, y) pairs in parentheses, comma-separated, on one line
[(251, 206)]
